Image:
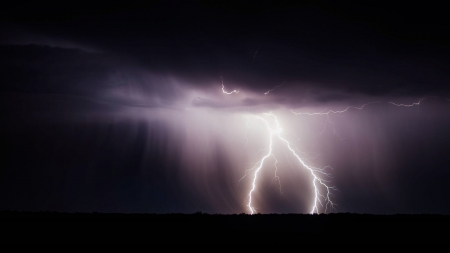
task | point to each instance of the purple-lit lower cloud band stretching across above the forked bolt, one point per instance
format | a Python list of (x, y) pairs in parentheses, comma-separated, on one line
[(107, 79)]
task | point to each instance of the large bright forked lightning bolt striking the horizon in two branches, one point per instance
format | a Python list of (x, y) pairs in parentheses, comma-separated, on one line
[(322, 191)]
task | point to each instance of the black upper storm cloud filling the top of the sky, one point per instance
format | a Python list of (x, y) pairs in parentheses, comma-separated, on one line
[(255, 46)]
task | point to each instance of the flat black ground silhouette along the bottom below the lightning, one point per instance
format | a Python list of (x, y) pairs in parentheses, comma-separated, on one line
[(210, 228)]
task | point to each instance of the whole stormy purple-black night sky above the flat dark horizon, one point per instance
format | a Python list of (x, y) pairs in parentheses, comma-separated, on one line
[(122, 107)]
